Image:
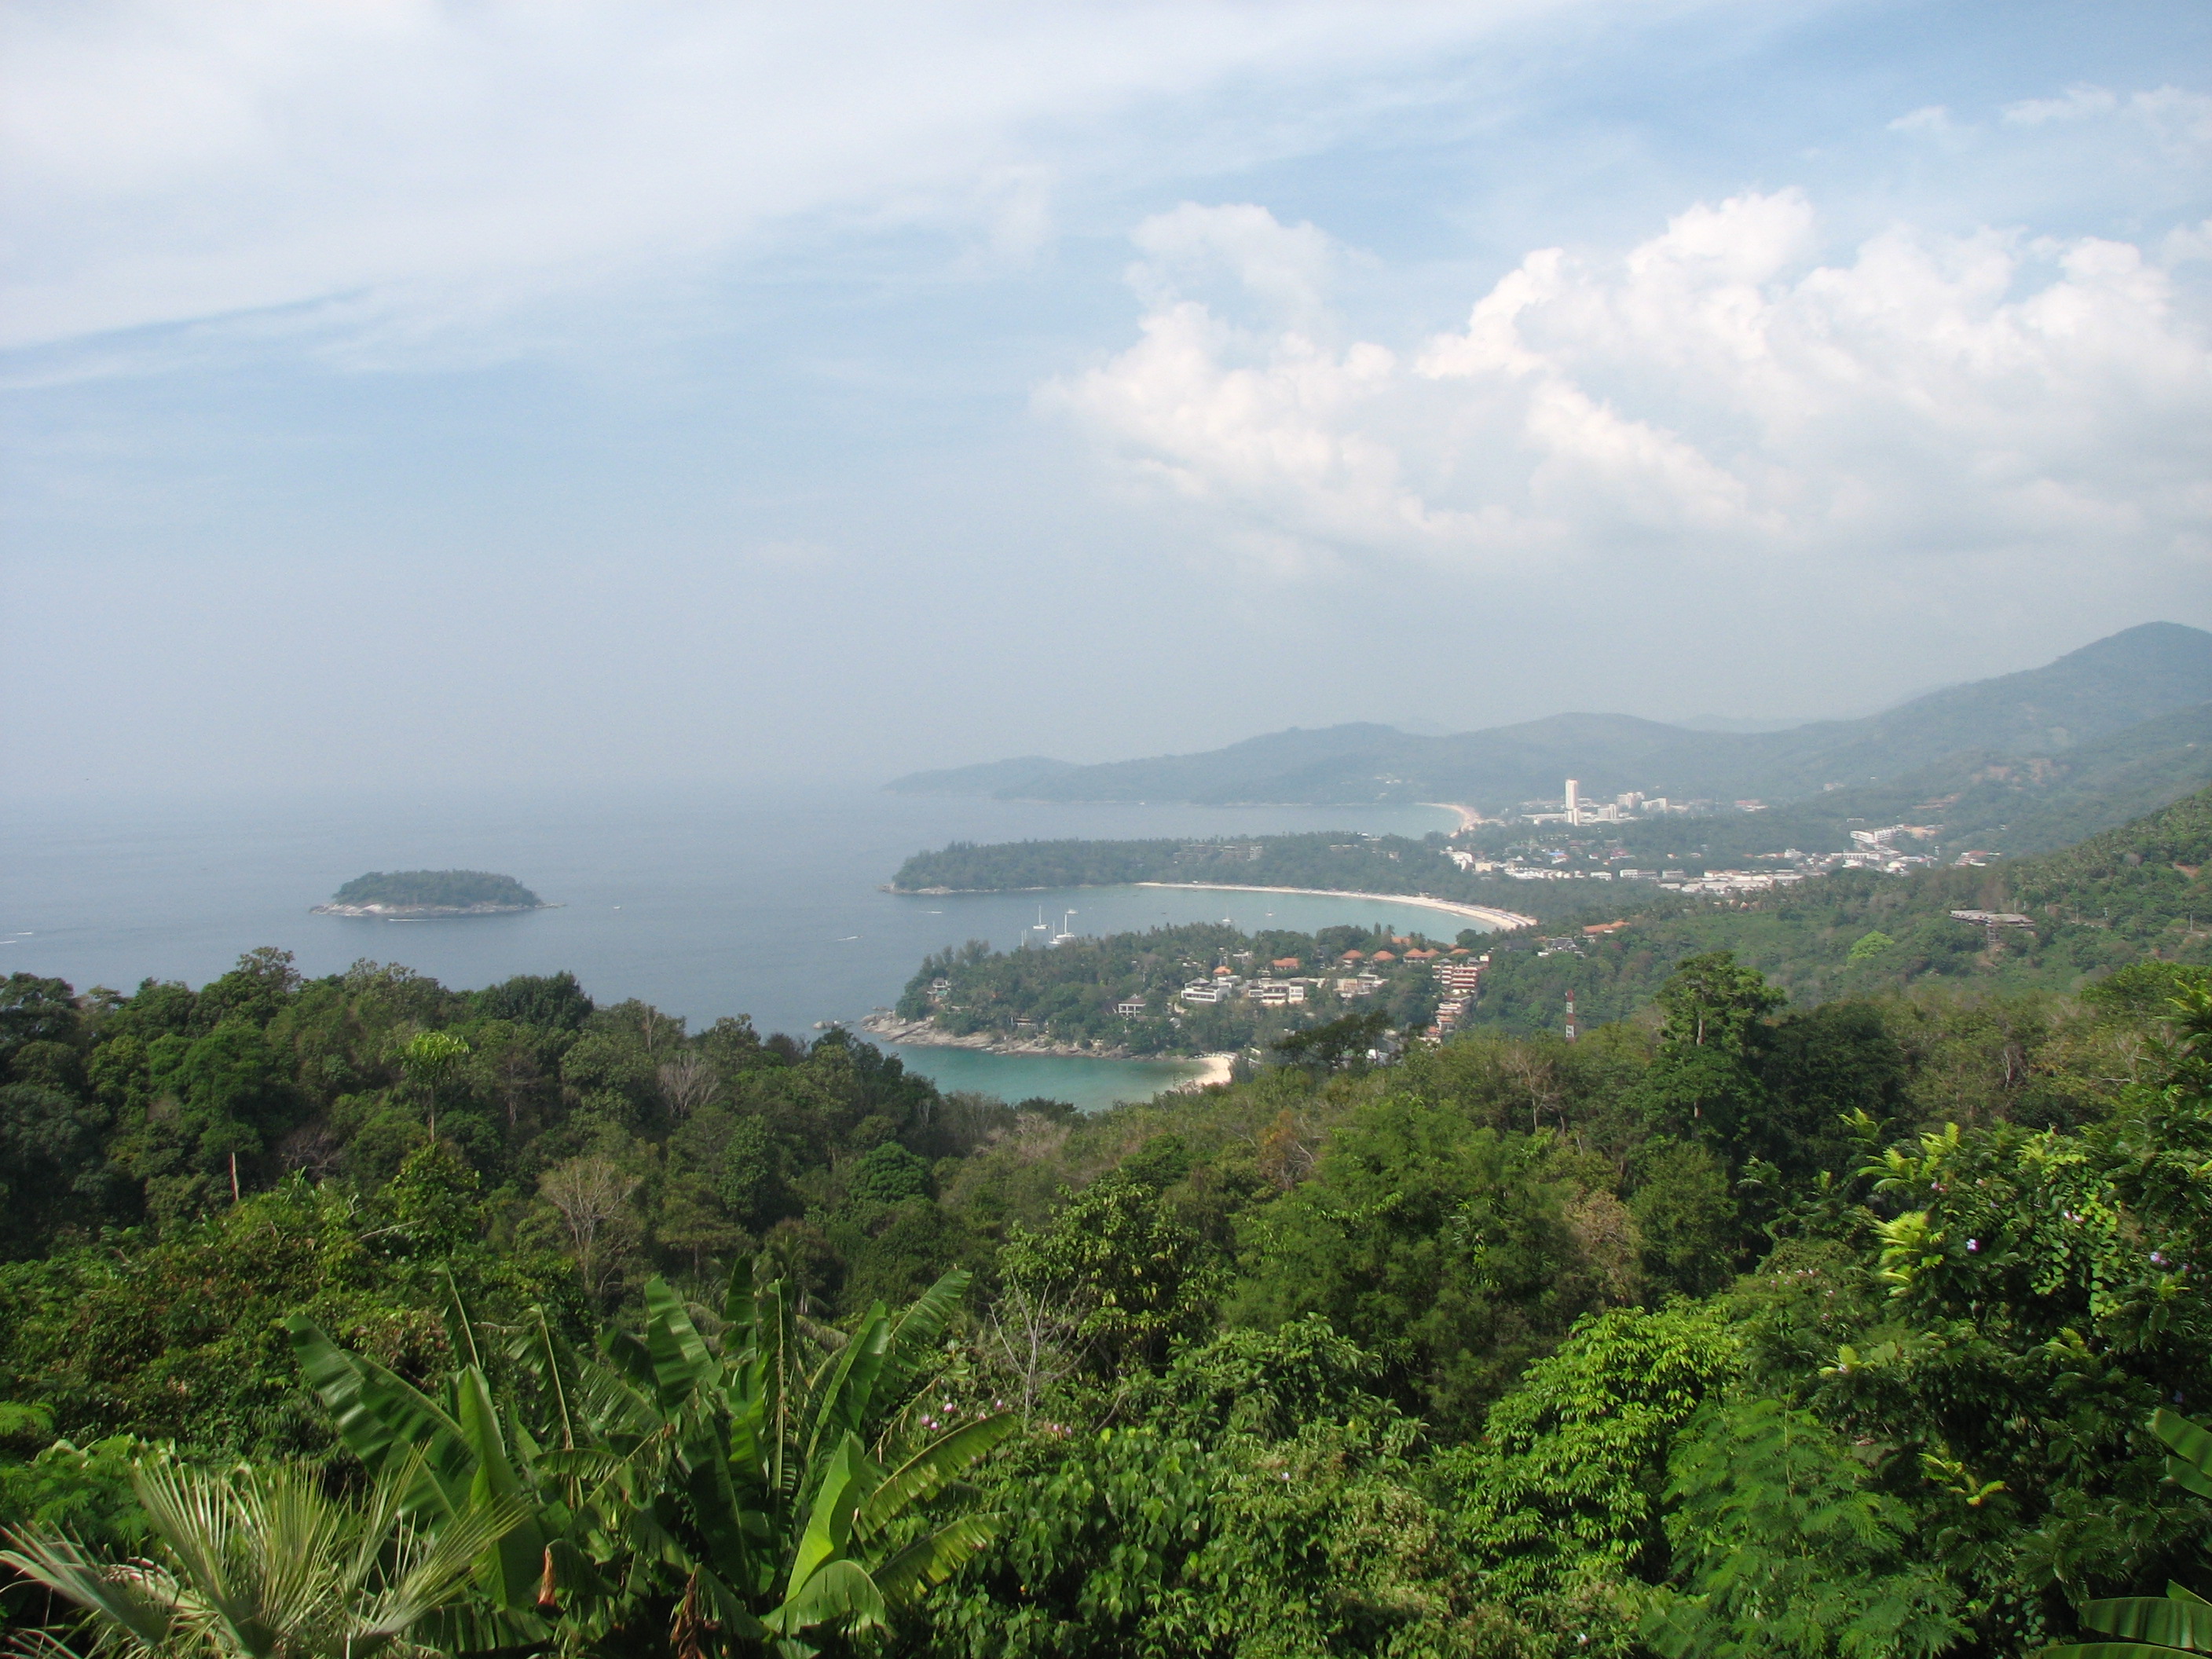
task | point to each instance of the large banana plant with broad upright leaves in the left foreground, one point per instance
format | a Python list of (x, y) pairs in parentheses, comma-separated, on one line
[(751, 1477)]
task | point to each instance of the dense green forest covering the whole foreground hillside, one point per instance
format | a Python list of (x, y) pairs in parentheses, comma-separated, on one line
[(1780, 1315)]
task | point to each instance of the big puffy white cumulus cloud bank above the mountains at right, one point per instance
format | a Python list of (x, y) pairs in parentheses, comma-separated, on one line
[(1715, 401)]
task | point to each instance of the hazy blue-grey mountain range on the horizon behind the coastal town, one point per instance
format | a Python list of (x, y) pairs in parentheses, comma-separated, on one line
[(2129, 716)]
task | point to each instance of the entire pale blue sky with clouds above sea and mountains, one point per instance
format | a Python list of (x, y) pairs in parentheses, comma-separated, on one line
[(638, 395)]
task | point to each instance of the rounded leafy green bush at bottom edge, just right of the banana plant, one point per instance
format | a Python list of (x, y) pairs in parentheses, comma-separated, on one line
[(1255, 1499)]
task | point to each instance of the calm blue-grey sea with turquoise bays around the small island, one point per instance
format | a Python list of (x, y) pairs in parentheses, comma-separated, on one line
[(702, 901)]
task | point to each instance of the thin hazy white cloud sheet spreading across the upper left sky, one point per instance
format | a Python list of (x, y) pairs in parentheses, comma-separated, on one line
[(178, 163)]
